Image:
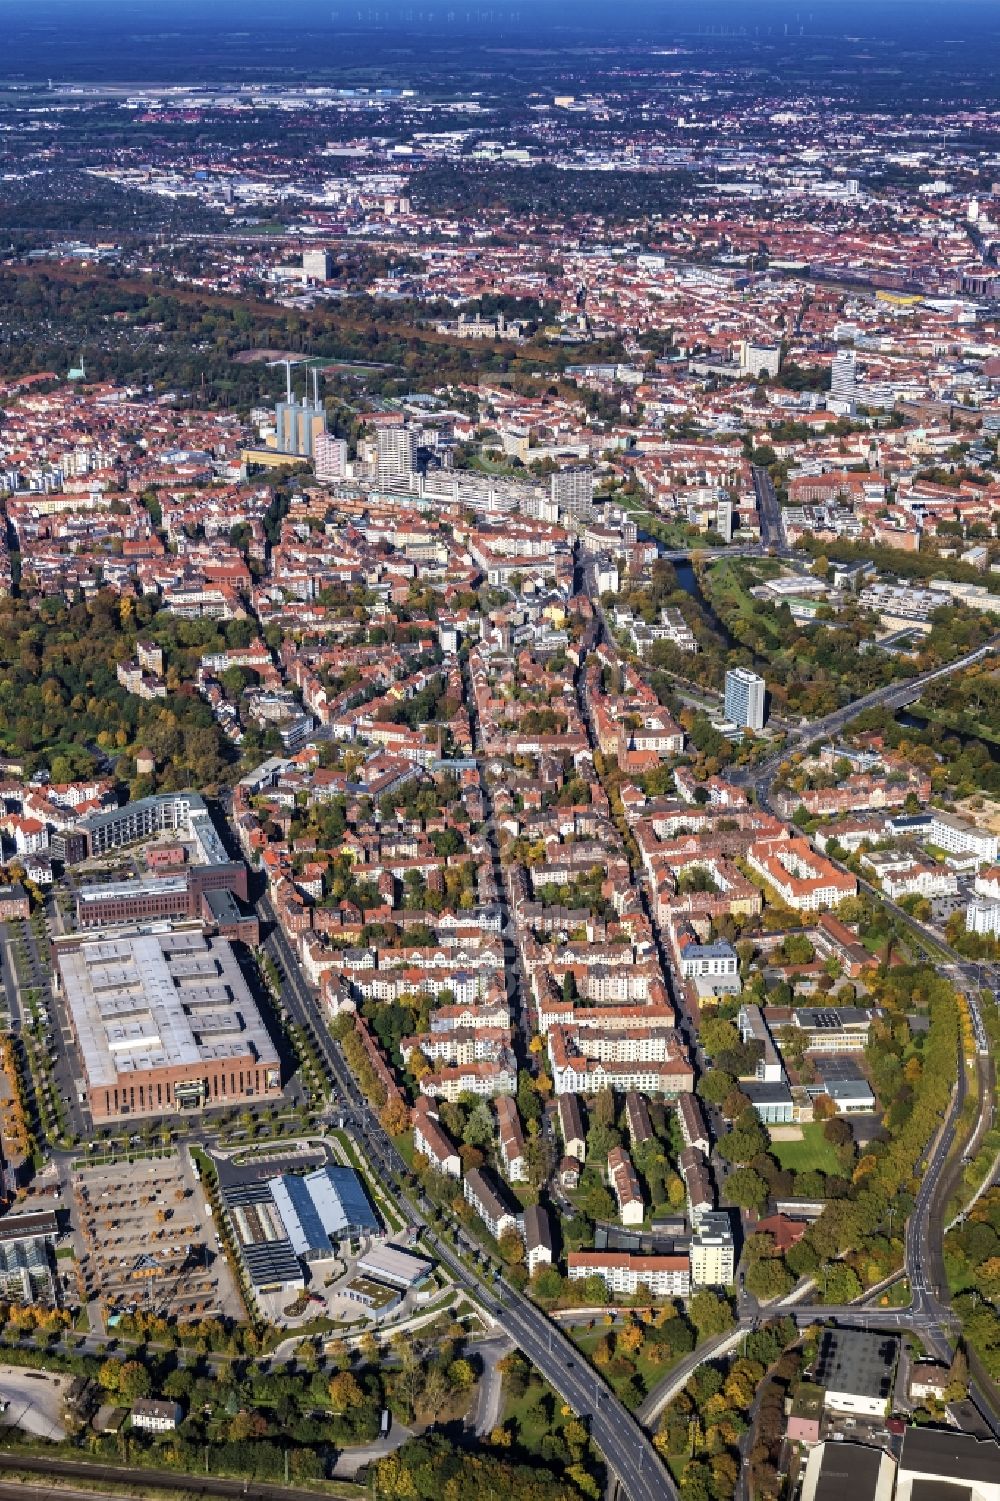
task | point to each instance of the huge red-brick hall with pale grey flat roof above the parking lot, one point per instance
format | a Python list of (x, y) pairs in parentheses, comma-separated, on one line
[(164, 1020)]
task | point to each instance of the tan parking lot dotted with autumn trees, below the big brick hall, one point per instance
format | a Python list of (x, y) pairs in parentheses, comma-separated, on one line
[(149, 1242)]
